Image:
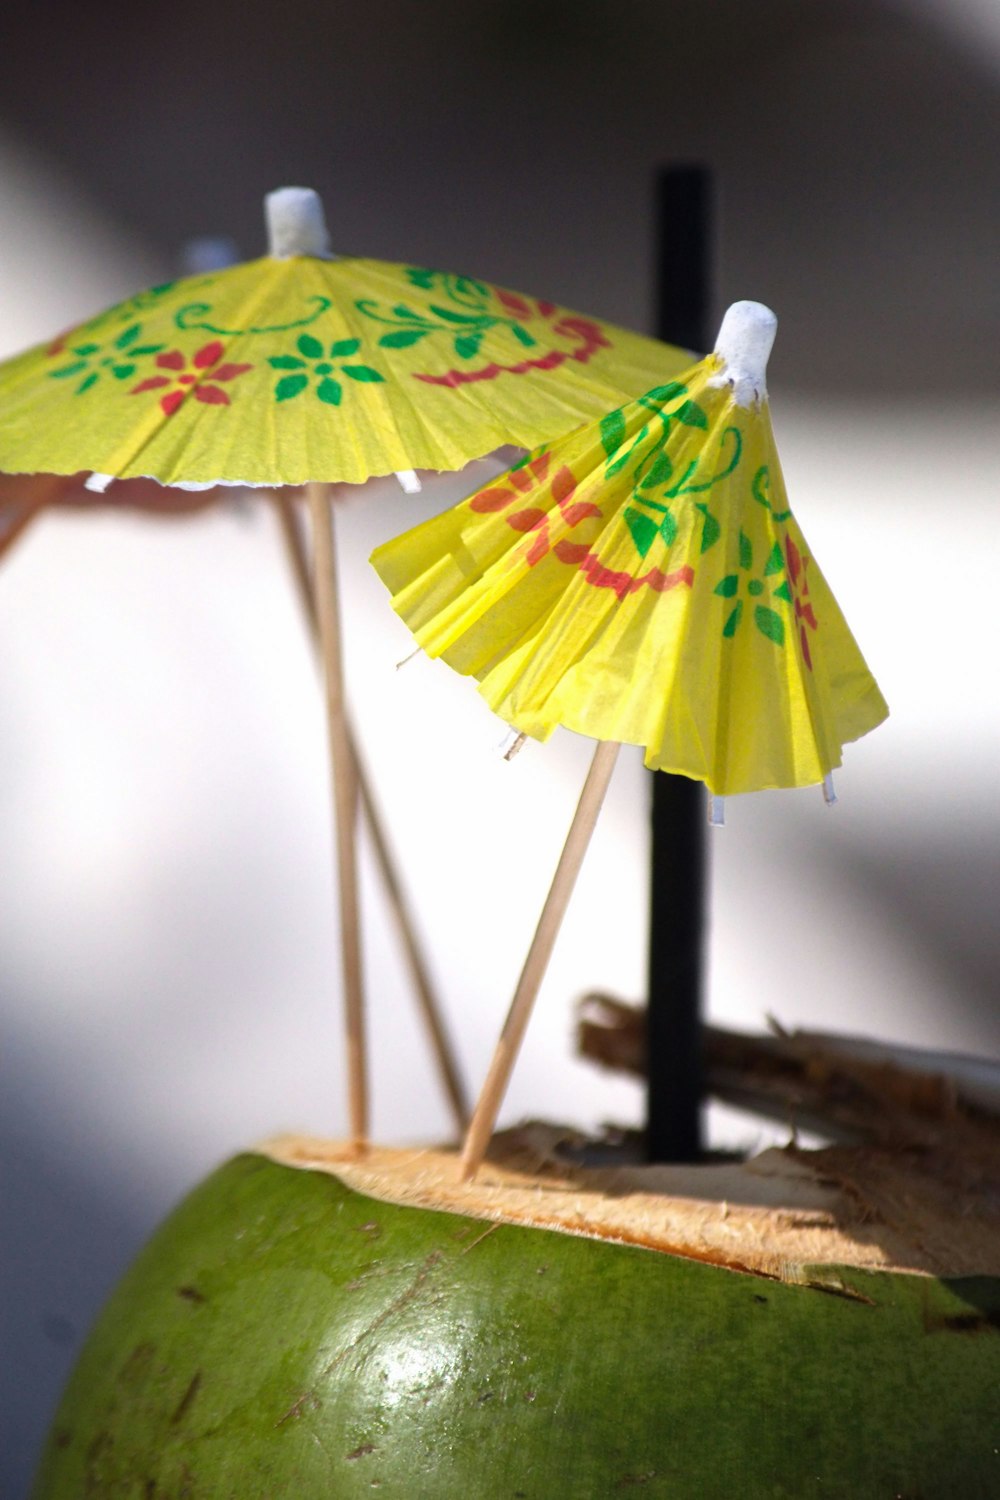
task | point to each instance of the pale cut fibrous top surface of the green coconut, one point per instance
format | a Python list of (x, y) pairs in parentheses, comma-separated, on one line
[(792, 1216)]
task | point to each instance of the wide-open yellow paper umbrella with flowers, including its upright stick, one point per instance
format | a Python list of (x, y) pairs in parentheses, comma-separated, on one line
[(307, 370)]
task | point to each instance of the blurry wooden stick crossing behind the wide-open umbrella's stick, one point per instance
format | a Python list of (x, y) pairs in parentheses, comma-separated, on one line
[(427, 1000)]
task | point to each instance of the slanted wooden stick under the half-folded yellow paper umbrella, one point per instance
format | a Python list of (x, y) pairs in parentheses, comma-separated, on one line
[(539, 955)]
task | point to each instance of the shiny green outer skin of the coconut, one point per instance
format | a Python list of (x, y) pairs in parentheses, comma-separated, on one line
[(284, 1339)]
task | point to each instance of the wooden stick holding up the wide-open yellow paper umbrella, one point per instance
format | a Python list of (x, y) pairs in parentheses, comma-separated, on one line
[(344, 779)]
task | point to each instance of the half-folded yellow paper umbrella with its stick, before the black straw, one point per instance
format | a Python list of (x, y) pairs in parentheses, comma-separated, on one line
[(644, 581)]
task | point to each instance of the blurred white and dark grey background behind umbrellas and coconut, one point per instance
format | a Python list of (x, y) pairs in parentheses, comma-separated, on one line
[(169, 980)]
